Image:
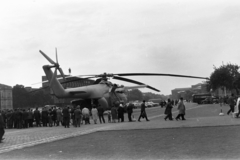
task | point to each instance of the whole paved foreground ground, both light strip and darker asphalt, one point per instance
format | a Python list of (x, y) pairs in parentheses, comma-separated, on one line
[(204, 135)]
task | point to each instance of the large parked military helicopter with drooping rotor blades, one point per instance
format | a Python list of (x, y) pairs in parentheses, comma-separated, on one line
[(101, 88)]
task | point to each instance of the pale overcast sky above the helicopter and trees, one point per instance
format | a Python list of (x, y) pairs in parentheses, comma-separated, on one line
[(121, 36)]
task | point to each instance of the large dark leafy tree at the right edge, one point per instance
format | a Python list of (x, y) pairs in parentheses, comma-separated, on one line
[(225, 76)]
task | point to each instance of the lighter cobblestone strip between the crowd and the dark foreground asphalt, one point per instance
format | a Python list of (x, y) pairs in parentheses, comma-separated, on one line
[(20, 138)]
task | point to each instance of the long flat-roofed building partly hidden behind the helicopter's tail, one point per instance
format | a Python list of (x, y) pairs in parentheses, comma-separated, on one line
[(74, 82)]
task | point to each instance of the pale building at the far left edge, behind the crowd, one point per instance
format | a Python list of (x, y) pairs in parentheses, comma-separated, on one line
[(6, 101)]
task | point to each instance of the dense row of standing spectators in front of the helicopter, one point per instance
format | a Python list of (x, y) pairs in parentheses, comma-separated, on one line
[(66, 116)]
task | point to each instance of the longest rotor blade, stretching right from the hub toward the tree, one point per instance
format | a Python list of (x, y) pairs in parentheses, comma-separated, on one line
[(158, 74)]
